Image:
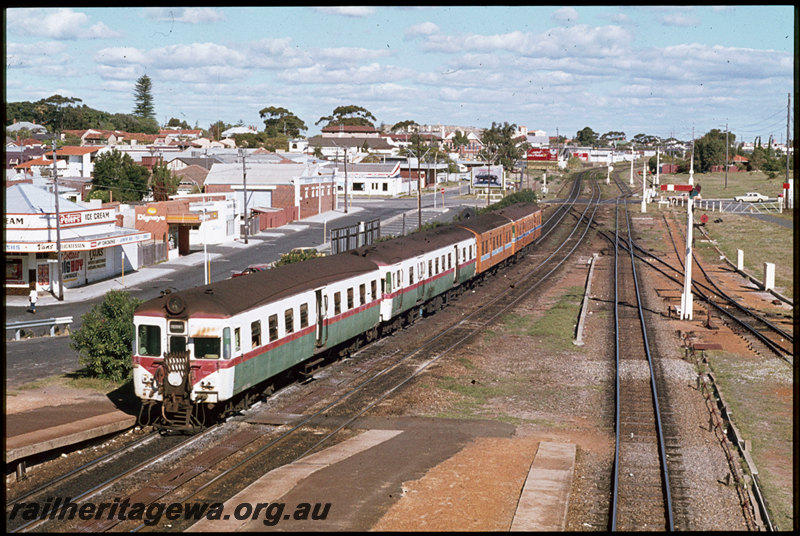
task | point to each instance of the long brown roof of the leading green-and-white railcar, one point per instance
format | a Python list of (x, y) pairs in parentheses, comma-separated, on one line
[(231, 296)]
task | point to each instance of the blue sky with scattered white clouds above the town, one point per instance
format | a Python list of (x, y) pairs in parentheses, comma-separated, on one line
[(664, 71)]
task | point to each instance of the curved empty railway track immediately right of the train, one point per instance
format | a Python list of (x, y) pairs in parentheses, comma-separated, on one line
[(256, 448)]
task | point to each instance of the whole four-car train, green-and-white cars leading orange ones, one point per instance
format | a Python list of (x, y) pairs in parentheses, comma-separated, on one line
[(209, 348)]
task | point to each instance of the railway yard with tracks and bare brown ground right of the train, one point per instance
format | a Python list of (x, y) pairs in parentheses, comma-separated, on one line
[(436, 426)]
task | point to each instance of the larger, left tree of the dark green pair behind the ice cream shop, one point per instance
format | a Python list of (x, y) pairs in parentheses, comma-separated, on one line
[(118, 173)]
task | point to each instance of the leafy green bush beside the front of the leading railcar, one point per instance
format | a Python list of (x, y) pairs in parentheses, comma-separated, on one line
[(105, 338)]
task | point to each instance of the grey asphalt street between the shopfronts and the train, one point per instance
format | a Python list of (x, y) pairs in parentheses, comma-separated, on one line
[(33, 359)]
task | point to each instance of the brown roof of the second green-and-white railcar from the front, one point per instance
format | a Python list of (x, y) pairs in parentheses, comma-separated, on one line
[(413, 245)]
